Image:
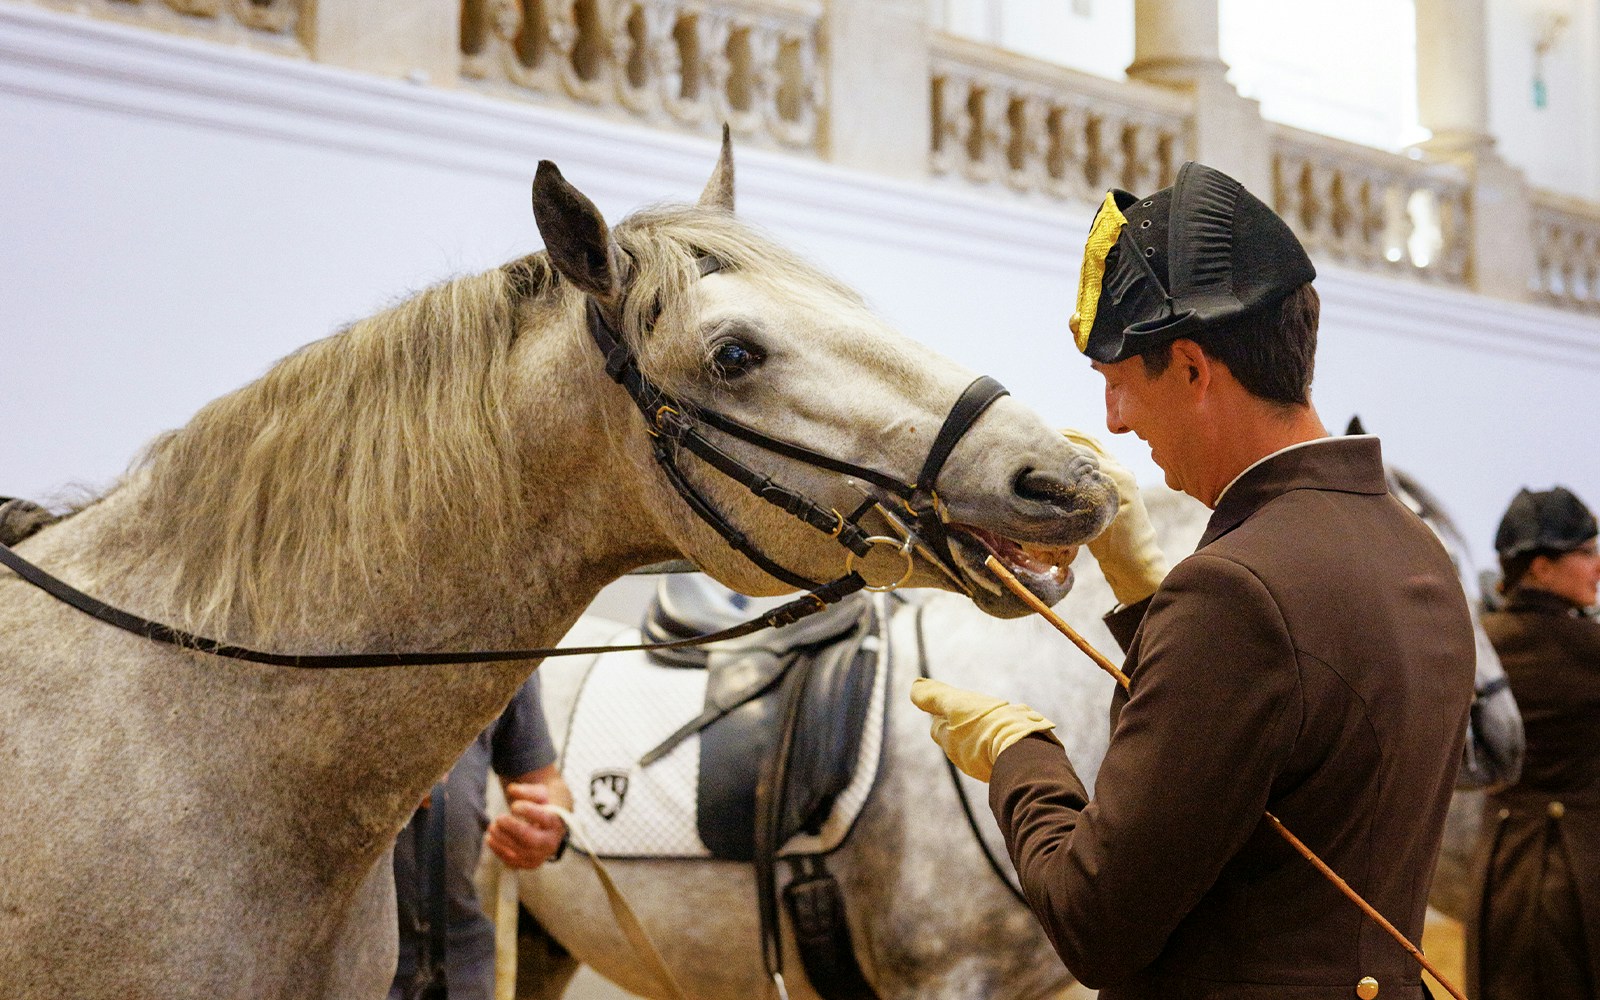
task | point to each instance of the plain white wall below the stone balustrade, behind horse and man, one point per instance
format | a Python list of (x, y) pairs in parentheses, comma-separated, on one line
[(174, 218)]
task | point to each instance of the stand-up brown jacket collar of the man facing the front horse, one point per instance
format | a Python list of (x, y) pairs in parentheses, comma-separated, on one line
[(1342, 465)]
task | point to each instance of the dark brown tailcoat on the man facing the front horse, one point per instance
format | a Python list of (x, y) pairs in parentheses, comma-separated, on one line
[(1313, 658)]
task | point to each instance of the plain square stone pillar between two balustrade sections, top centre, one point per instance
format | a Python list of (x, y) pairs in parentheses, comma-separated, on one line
[(879, 78)]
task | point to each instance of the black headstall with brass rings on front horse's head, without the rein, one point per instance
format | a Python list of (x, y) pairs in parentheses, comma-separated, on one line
[(674, 426)]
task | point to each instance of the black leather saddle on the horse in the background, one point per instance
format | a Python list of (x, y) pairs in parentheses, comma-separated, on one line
[(780, 740)]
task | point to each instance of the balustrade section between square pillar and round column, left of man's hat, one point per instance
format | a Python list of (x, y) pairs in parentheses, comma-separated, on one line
[(1036, 127)]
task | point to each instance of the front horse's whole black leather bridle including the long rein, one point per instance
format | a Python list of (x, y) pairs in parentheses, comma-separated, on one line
[(673, 425)]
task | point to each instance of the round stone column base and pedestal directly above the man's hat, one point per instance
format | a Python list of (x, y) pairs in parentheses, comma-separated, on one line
[(1175, 44)]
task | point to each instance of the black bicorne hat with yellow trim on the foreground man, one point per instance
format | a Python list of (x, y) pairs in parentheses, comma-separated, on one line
[(1188, 258)]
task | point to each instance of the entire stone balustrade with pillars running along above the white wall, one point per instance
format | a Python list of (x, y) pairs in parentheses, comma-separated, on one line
[(913, 102)]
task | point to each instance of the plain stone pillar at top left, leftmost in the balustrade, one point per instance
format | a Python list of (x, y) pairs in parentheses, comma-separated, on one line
[(418, 39)]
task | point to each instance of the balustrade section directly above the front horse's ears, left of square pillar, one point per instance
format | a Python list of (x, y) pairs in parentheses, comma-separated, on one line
[(678, 63)]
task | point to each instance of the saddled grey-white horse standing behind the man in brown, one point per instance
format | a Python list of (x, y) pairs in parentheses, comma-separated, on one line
[(929, 914)]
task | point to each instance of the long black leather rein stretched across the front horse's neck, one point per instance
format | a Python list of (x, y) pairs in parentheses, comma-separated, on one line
[(156, 631)]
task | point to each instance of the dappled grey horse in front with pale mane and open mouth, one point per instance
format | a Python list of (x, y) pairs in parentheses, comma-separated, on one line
[(457, 473)]
